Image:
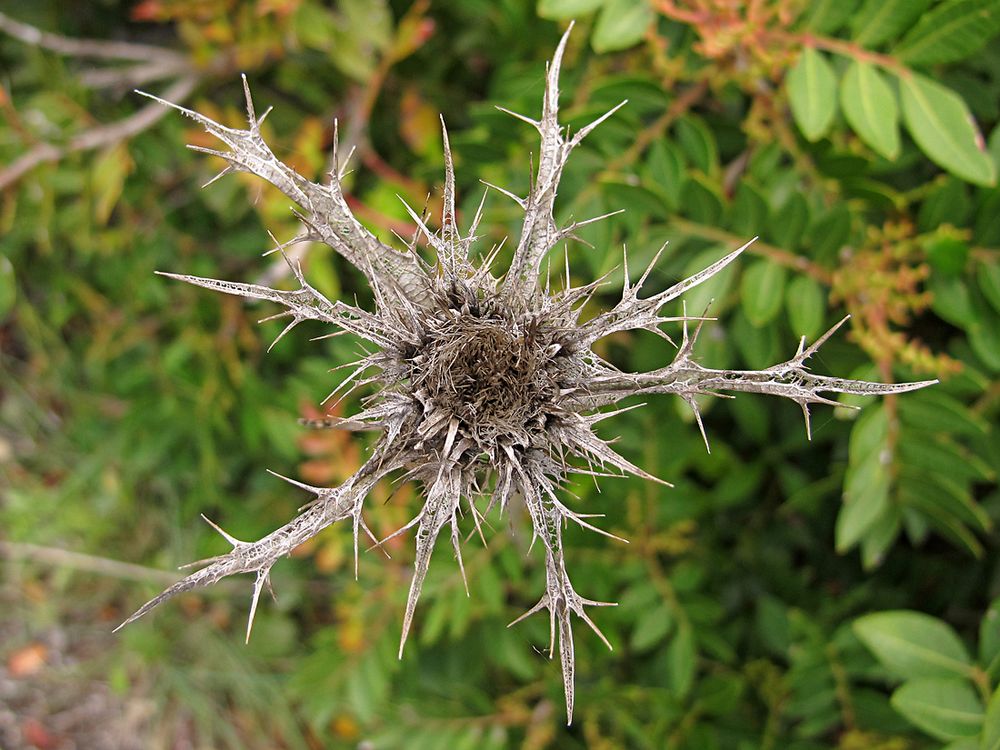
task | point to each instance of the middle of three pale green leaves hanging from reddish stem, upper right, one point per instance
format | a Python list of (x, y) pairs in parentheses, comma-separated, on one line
[(870, 108)]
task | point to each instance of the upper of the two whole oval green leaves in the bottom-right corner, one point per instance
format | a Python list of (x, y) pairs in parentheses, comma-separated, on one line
[(914, 645)]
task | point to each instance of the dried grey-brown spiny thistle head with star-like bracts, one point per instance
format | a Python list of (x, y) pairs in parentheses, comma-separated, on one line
[(488, 387)]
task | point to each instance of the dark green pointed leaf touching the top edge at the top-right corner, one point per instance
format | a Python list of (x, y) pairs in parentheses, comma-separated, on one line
[(951, 31)]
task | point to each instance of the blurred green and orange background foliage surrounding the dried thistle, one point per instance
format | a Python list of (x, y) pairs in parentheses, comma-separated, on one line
[(786, 594)]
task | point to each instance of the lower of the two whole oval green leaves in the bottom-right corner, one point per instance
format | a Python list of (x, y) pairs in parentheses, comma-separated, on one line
[(945, 709)]
